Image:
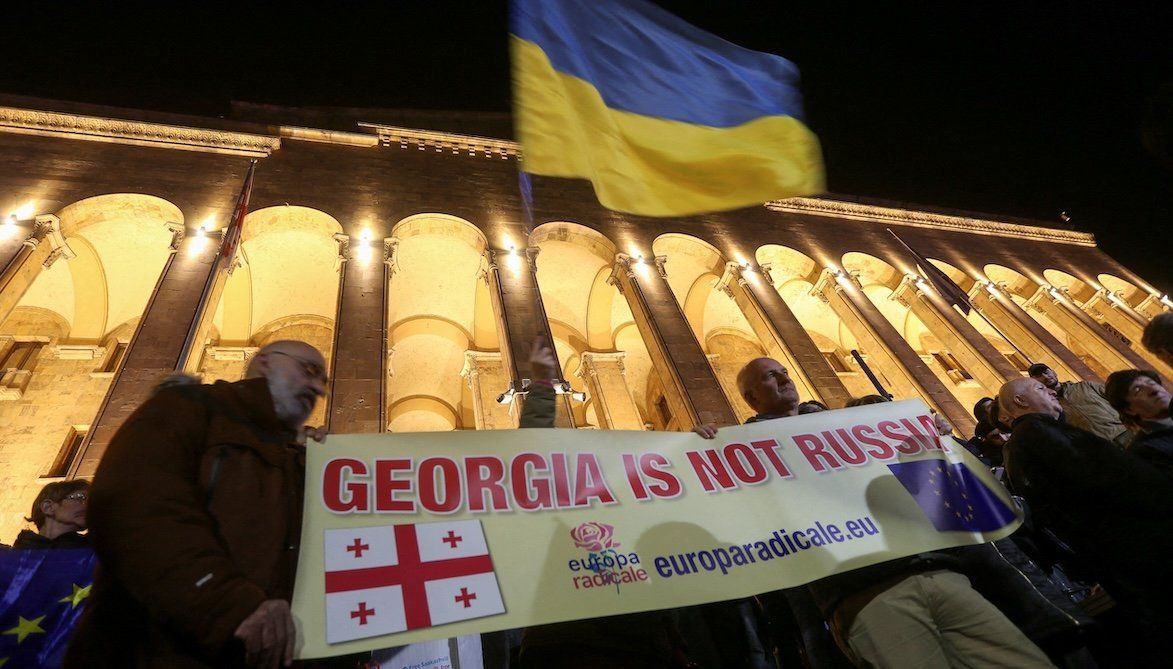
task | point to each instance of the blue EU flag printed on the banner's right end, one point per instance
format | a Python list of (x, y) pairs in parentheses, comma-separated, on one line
[(953, 498)]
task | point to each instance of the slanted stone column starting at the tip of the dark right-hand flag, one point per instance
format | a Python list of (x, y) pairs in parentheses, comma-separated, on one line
[(1040, 346)]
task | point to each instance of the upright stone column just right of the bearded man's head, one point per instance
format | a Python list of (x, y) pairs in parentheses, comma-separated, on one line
[(358, 371)]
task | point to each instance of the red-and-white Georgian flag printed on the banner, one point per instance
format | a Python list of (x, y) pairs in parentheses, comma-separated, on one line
[(388, 579)]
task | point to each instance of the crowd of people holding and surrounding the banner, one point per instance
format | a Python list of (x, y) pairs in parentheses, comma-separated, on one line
[(195, 516)]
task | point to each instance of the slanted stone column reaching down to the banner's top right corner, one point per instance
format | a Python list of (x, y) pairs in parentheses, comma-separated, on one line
[(887, 350)]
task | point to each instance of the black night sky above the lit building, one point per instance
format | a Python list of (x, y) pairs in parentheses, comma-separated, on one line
[(1018, 107)]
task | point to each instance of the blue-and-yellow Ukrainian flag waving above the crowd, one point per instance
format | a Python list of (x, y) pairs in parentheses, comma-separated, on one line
[(663, 119)]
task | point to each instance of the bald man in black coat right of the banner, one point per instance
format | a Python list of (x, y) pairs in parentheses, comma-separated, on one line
[(1115, 510)]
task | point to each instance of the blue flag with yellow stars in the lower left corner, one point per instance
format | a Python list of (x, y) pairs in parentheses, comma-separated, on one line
[(44, 596)]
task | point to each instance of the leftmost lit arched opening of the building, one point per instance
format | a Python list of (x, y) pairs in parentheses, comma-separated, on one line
[(66, 337)]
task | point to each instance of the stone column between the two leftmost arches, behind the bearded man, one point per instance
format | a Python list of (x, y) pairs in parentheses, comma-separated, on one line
[(158, 347)]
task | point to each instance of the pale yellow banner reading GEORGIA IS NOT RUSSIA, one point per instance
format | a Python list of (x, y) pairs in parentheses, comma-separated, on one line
[(417, 537)]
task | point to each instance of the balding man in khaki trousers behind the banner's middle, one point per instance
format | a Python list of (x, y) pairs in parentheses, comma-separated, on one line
[(914, 610)]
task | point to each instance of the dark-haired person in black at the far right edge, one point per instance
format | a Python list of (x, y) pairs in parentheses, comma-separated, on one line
[(1144, 407)]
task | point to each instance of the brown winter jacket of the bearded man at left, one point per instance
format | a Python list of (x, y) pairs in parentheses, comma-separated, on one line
[(195, 515)]
